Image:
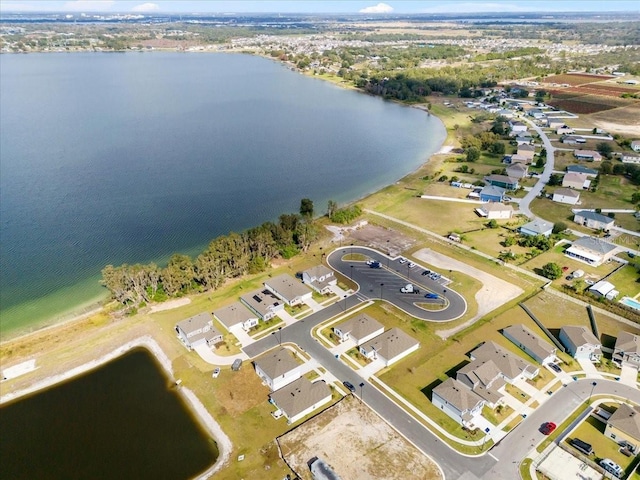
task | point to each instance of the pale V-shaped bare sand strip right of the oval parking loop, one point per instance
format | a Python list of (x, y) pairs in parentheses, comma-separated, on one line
[(494, 292)]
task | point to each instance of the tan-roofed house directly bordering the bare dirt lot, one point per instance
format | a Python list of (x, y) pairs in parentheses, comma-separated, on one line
[(300, 398)]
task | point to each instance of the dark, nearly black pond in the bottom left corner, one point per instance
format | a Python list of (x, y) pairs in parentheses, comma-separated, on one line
[(122, 420)]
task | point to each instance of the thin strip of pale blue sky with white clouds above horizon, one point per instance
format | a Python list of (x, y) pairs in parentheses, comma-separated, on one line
[(318, 6)]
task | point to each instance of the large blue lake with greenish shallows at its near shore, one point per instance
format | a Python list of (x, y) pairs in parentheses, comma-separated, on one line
[(110, 158)]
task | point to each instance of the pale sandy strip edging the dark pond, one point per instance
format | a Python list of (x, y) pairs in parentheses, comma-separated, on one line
[(222, 440)]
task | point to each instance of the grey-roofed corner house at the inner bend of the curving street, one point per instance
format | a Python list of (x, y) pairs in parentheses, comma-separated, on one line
[(457, 401)]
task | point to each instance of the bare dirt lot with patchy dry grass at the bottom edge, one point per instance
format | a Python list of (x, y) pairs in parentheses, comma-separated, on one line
[(357, 444)]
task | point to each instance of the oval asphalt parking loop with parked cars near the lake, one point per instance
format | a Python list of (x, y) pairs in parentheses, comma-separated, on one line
[(385, 283)]
